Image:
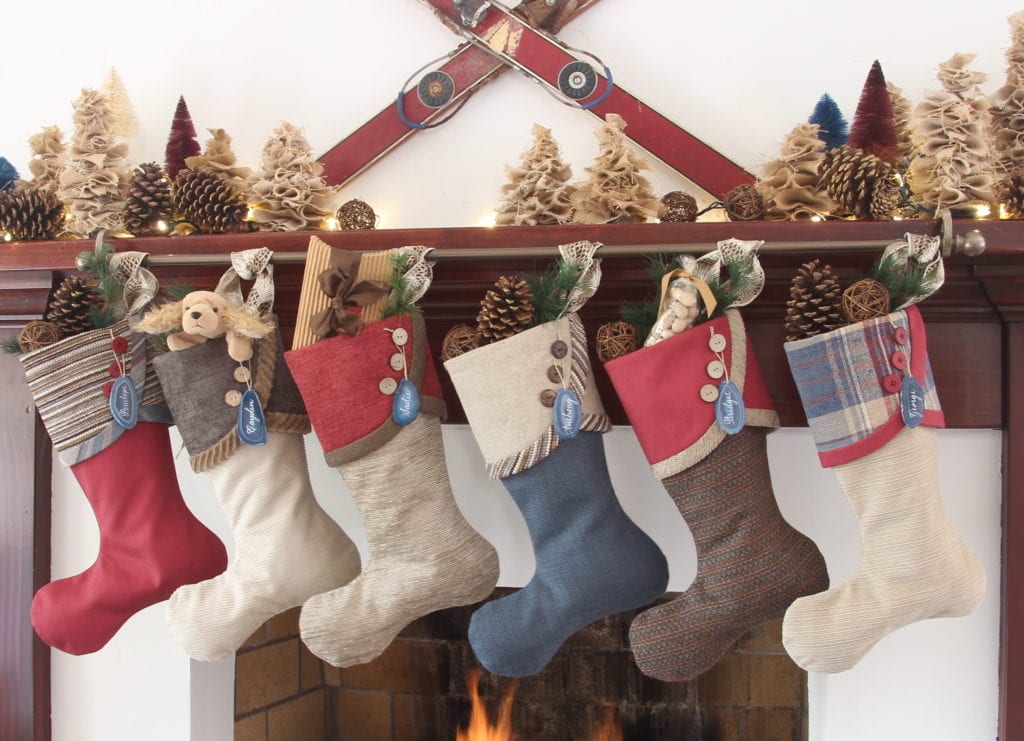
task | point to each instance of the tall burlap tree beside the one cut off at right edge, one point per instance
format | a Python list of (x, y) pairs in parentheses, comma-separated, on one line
[(955, 162)]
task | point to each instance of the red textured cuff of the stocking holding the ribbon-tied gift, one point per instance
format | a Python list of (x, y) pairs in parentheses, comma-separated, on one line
[(348, 384)]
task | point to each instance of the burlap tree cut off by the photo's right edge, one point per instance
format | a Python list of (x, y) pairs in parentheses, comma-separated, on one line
[(1008, 105)]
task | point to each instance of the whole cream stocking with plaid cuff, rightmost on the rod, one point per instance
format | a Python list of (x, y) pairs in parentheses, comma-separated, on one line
[(915, 565)]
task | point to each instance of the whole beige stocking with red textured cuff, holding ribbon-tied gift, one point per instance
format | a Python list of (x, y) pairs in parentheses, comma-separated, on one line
[(423, 555)]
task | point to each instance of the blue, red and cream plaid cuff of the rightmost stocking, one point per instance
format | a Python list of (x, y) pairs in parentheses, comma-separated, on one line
[(850, 382)]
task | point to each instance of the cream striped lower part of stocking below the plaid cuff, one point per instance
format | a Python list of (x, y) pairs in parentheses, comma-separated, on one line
[(915, 565)]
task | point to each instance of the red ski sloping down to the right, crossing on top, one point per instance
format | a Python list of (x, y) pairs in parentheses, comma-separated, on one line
[(507, 37)]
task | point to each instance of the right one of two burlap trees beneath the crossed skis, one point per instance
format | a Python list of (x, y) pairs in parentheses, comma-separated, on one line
[(616, 191)]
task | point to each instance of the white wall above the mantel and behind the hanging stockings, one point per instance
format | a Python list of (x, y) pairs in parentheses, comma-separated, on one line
[(738, 75)]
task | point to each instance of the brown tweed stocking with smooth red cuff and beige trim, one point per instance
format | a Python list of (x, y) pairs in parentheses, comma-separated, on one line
[(752, 564)]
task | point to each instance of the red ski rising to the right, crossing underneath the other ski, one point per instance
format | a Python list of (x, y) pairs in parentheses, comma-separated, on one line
[(471, 68)]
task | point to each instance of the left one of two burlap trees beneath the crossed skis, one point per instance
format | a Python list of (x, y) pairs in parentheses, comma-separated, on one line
[(538, 192)]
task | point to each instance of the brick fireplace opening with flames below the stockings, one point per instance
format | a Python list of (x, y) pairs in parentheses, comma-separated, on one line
[(422, 689)]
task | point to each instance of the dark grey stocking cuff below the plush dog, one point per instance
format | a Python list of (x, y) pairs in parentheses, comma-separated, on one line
[(202, 390)]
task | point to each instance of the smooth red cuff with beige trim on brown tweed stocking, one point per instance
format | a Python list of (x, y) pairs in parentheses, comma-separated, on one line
[(662, 388)]
